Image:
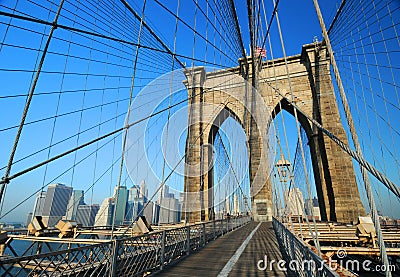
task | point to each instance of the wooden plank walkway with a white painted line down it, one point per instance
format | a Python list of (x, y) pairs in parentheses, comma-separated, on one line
[(222, 257)]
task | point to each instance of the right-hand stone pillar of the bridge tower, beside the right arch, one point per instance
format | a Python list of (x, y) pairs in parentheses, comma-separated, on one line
[(338, 189)]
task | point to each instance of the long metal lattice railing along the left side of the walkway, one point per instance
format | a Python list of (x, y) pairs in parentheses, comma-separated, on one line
[(126, 256)]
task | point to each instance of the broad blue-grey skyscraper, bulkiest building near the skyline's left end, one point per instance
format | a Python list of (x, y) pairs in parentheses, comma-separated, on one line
[(55, 204)]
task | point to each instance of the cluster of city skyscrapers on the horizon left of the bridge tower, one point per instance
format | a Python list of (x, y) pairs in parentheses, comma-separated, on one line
[(61, 202)]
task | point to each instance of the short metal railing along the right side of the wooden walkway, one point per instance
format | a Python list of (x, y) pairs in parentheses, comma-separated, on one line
[(299, 257)]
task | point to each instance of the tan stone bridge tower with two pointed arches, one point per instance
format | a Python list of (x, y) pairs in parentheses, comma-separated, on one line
[(215, 96)]
